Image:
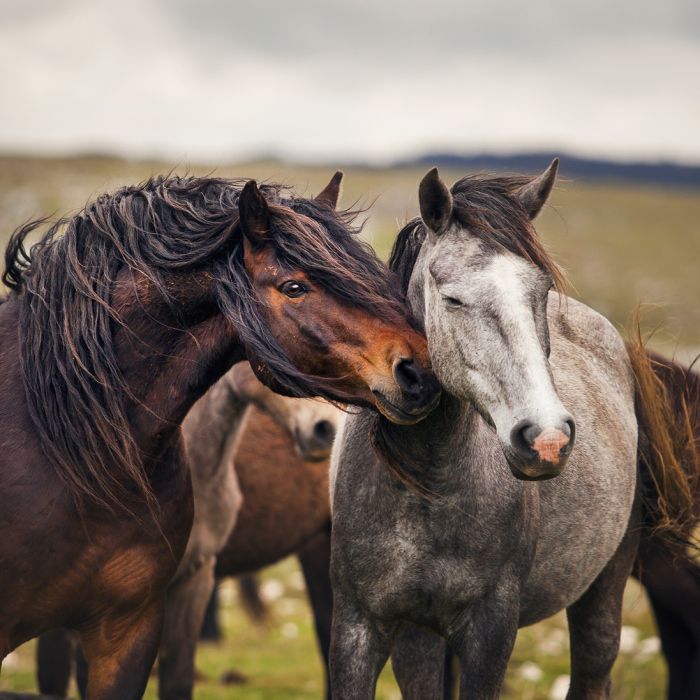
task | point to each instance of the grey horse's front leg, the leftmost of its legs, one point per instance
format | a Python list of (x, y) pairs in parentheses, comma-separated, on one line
[(359, 649)]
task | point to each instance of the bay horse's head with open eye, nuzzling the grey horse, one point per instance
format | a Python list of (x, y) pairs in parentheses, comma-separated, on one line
[(321, 315)]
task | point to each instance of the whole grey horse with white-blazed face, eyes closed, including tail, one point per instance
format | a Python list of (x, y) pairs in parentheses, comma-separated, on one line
[(437, 535)]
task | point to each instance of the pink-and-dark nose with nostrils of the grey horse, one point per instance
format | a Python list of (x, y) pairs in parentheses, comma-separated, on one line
[(549, 447)]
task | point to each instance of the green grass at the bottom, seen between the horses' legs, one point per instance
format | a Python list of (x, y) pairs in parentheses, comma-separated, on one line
[(280, 661)]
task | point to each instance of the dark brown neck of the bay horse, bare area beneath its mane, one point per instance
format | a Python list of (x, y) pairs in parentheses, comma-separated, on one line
[(169, 365)]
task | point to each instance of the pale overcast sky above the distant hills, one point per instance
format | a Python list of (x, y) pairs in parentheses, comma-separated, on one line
[(219, 80)]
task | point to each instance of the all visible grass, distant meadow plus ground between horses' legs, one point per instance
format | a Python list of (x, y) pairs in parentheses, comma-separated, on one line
[(619, 245)]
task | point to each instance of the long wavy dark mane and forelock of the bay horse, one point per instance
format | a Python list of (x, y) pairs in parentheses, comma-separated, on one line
[(75, 389)]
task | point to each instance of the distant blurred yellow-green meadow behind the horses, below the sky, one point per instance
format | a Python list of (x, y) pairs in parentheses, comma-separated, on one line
[(619, 244)]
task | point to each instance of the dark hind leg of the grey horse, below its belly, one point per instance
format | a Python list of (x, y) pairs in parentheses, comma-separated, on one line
[(595, 620)]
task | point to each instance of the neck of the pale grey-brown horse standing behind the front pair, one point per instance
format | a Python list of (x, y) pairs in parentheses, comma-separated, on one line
[(212, 427)]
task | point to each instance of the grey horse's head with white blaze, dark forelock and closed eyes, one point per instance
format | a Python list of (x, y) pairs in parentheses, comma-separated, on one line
[(482, 283)]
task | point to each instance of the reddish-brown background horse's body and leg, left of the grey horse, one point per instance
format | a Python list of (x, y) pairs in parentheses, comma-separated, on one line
[(285, 511)]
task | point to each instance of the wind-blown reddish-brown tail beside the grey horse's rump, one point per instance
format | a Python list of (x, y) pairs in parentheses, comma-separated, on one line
[(668, 411)]
